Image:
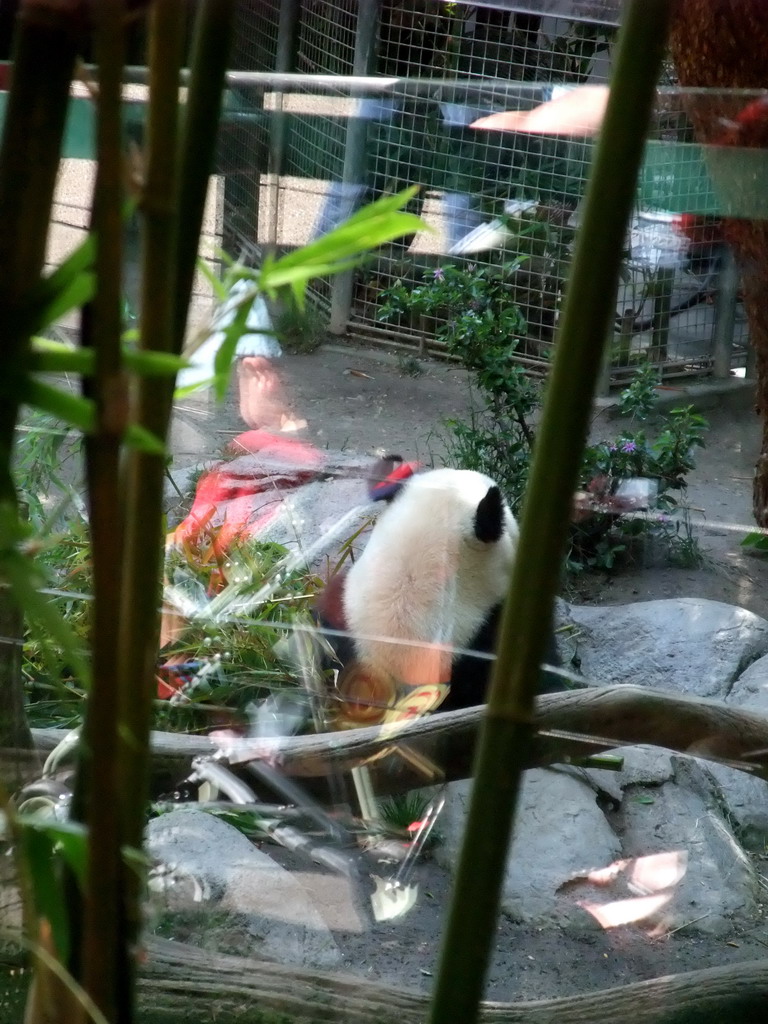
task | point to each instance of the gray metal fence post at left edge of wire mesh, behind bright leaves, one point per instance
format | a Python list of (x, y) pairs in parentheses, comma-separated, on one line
[(355, 152)]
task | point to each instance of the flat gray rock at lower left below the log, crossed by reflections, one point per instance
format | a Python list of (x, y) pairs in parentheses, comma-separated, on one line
[(218, 890)]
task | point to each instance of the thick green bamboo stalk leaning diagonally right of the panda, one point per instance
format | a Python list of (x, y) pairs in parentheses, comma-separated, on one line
[(588, 313)]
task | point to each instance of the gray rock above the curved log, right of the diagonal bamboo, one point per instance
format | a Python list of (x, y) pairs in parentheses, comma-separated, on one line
[(689, 646)]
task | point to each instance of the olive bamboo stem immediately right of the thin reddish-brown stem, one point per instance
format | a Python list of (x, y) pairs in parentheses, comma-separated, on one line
[(144, 474)]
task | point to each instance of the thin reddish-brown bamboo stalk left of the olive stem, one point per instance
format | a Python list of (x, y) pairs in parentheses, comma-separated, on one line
[(102, 958)]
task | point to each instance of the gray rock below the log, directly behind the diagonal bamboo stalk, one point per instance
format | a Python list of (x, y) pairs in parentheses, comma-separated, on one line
[(560, 832)]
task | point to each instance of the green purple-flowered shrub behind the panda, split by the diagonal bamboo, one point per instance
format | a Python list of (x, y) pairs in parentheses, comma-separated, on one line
[(623, 479)]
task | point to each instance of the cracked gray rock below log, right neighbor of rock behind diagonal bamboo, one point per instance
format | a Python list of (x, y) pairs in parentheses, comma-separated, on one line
[(684, 821)]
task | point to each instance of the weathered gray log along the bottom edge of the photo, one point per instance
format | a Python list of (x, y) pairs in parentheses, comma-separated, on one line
[(181, 984)]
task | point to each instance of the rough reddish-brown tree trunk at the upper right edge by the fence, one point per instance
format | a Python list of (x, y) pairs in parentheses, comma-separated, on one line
[(722, 45)]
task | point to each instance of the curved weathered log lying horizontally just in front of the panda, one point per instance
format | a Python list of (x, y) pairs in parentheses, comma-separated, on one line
[(571, 724)]
